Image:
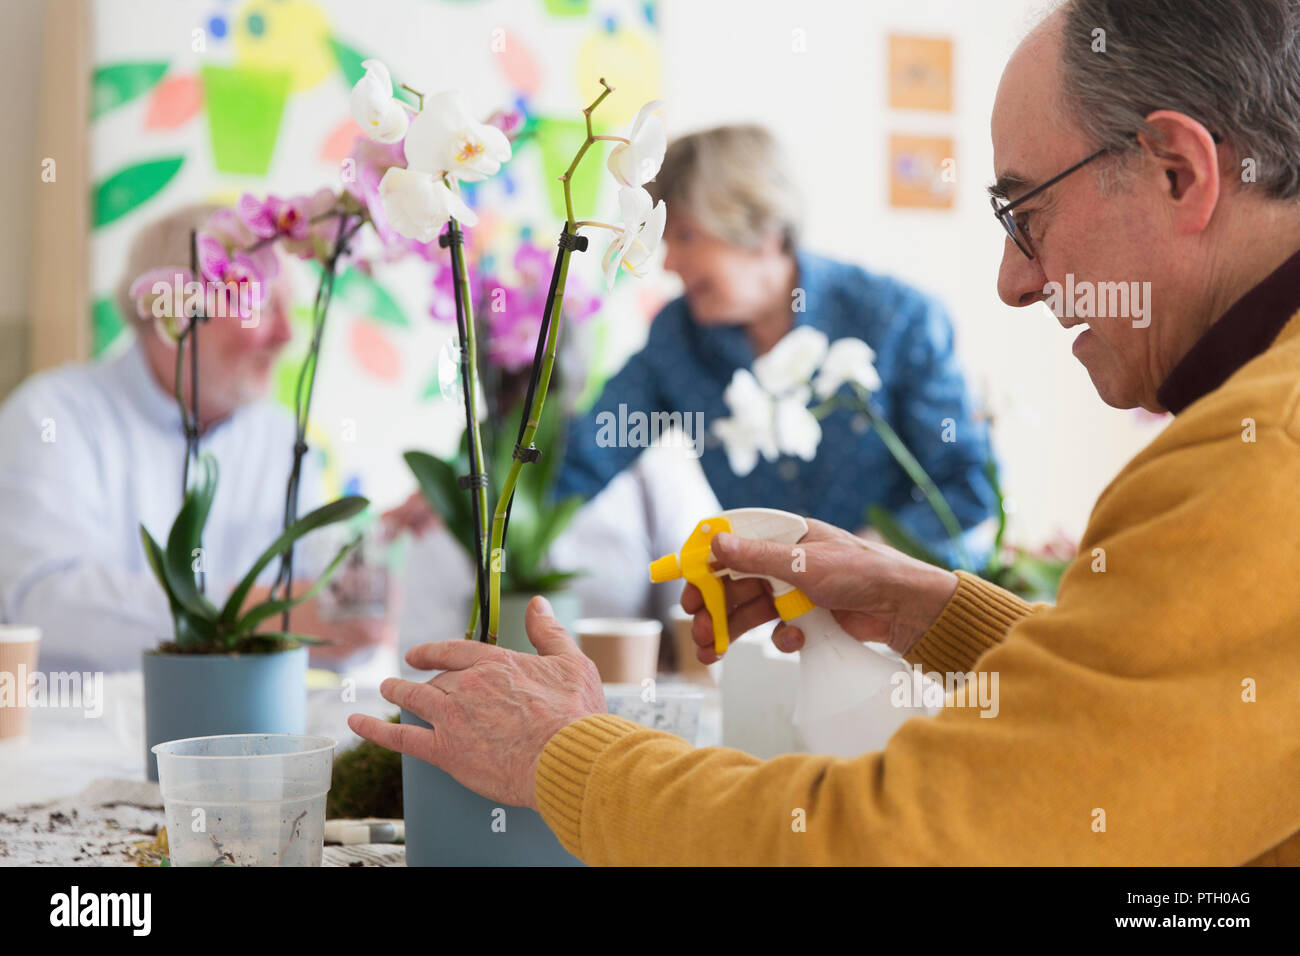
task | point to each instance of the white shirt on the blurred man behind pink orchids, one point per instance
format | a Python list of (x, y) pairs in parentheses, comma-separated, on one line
[(88, 455)]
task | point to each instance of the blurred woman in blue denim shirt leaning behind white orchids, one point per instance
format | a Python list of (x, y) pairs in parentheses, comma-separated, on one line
[(733, 237)]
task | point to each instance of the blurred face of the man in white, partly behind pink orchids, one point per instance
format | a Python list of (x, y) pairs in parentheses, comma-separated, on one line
[(237, 361)]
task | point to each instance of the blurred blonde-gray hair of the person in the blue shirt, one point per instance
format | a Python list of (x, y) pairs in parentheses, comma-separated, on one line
[(735, 181)]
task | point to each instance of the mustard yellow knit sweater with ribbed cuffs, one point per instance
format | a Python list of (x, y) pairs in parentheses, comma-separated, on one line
[(1151, 717)]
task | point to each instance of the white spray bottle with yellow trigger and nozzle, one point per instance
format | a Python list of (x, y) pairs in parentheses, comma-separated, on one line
[(844, 697)]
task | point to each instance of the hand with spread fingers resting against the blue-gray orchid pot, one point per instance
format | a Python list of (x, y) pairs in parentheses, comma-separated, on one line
[(493, 711)]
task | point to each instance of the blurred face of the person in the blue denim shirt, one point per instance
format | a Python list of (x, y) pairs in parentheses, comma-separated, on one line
[(725, 284)]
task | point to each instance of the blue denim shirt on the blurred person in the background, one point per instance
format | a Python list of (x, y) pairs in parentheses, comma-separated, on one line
[(684, 367)]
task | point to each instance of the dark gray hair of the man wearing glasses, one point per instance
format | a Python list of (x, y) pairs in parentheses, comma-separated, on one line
[(1233, 66)]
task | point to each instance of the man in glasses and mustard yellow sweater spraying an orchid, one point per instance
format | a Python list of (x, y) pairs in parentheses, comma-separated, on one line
[(1150, 716)]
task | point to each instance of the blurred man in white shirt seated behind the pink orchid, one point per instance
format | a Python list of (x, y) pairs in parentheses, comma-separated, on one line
[(90, 452)]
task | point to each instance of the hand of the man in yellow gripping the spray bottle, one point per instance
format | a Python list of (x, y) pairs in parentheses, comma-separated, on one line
[(876, 592)]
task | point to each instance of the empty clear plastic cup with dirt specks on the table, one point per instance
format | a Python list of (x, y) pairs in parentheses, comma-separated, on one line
[(246, 799)]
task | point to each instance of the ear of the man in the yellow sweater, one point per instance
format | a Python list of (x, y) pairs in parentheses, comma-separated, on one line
[(1188, 162)]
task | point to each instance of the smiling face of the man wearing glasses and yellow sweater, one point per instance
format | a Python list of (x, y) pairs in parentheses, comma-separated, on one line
[(1077, 231)]
